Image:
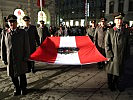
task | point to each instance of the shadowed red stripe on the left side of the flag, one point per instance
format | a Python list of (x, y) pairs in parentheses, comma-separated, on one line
[(47, 52)]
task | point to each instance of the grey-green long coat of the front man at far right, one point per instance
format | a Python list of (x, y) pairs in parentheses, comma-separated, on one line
[(115, 47)]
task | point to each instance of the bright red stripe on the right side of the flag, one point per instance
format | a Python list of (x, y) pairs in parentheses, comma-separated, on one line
[(88, 52)]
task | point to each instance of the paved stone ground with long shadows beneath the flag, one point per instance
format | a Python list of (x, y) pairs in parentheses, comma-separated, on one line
[(56, 82)]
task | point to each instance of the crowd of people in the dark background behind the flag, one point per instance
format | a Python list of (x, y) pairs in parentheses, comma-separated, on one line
[(64, 30)]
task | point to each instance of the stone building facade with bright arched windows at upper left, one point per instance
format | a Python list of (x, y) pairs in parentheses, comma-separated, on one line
[(30, 8)]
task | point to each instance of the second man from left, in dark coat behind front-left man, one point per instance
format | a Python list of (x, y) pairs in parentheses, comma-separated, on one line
[(33, 40)]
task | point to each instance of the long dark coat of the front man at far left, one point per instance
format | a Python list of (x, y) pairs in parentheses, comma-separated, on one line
[(15, 50)]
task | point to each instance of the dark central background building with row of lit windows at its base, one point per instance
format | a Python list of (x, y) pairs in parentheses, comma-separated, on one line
[(78, 12)]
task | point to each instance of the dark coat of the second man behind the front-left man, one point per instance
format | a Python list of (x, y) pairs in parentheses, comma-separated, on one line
[(33, 37)]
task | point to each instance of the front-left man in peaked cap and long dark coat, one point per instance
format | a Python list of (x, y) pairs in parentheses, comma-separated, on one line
[(15, 53)]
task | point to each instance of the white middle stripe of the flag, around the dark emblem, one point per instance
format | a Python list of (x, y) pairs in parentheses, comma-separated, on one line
[(72, 58)]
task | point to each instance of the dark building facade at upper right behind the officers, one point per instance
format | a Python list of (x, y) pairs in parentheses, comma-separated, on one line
[(113, 7)]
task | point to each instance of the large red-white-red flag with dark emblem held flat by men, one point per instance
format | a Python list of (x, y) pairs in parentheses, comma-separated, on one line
[(74, 50)]
